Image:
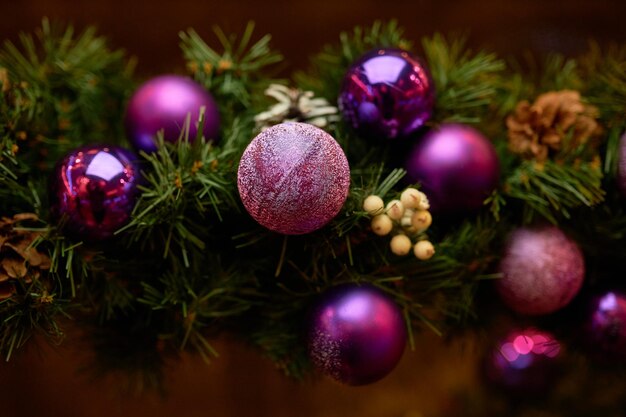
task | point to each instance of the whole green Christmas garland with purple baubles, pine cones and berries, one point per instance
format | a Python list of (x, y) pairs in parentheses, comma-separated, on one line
[(324, 235)]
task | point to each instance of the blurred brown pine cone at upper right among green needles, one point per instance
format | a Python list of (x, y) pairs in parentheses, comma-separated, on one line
[(556, 121)]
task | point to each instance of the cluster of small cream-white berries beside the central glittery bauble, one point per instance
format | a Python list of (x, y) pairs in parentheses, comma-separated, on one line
[(407, 217)]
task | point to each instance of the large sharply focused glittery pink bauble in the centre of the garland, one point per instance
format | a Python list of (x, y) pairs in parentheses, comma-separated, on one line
[(293, 178)]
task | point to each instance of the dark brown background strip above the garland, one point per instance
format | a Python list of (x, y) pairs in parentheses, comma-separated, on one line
[(149, 28)]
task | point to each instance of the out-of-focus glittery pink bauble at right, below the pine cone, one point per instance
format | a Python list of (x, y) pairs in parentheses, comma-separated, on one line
[(542, 270)]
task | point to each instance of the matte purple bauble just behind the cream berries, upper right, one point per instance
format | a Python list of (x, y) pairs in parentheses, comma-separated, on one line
[(456, 166)]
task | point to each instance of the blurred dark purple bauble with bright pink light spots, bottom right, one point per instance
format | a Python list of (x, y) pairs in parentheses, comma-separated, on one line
[(524, 362)]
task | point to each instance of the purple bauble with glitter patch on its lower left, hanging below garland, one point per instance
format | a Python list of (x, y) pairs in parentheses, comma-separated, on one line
[(356, 334)]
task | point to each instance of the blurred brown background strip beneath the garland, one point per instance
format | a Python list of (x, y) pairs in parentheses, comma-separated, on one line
[(47, 382)]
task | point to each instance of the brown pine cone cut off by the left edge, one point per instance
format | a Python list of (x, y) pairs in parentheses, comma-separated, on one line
[(18, 259)]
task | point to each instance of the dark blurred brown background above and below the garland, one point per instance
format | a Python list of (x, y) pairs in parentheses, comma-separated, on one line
[(47, 381)]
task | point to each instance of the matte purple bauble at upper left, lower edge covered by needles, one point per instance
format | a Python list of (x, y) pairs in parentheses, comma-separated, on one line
[(165, 103)]
